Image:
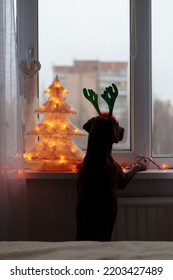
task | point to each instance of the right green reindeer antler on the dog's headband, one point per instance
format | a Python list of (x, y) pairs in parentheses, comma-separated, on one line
[(109, 95)]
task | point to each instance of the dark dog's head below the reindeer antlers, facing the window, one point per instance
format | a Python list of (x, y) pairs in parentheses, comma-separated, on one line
[(105, 129)]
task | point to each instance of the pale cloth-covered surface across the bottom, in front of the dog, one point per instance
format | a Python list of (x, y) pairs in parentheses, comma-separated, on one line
[(86, 250)]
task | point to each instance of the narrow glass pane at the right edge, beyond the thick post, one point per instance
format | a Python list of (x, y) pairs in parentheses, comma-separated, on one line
[(162, 75)]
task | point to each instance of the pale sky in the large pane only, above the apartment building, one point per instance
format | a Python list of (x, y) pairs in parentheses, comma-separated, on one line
[(86, 30)]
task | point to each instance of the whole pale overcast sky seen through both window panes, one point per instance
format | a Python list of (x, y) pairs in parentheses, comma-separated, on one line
[(99, 29)]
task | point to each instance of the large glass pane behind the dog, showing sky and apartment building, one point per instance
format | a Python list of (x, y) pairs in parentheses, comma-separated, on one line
[(86, 43)]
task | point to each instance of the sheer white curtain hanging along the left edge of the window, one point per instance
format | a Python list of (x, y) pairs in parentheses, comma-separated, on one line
[(13, 196)]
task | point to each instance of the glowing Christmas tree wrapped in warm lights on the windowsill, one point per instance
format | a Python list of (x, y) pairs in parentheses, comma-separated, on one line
[(55, 151)]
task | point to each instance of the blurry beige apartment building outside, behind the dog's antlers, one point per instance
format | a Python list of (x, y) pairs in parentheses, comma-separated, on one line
[(96, 75)]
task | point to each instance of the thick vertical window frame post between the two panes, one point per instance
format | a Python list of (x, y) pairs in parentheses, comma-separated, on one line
[(140, 81)]
